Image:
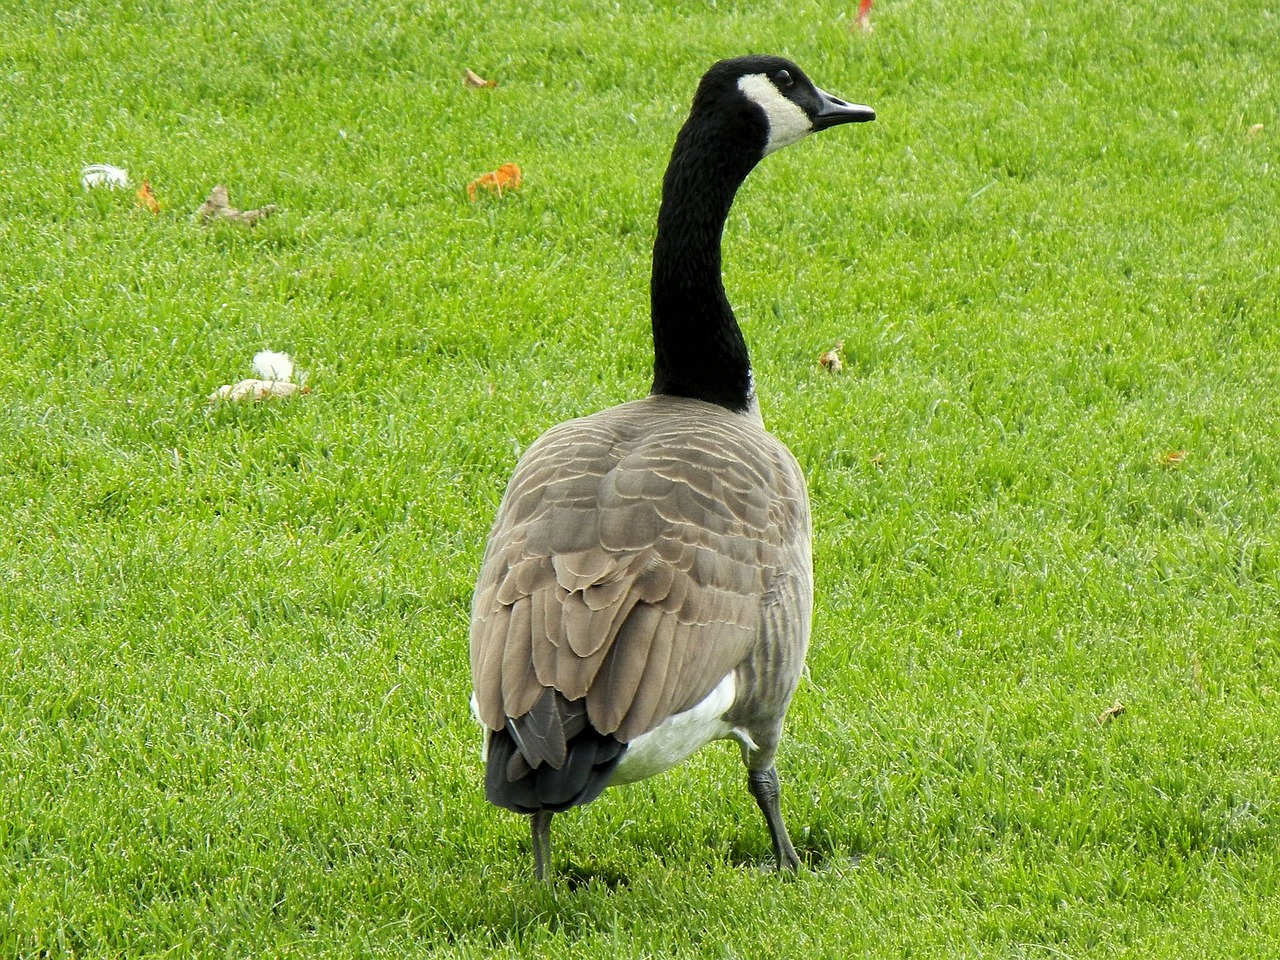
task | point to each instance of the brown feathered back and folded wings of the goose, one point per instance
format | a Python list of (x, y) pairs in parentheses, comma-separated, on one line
[(629, 564)]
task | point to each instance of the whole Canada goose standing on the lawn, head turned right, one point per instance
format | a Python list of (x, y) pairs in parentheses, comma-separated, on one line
[(647, 587)]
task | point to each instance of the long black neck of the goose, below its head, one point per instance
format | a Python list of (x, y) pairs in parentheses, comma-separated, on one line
[(698, 348)]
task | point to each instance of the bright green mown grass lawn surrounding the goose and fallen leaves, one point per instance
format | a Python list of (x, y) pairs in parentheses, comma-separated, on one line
[(234, 711)]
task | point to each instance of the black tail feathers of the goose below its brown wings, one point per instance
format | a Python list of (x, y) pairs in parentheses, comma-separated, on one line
[(522, 774)]
